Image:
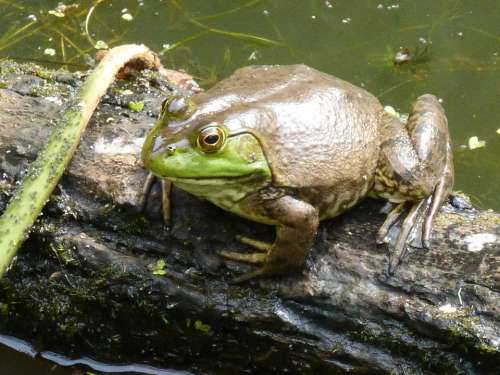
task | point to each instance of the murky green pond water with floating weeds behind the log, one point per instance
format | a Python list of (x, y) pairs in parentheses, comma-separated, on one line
[(454, 48)]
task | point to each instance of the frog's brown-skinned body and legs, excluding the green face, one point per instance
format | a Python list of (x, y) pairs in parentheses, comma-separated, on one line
[(328, 144)]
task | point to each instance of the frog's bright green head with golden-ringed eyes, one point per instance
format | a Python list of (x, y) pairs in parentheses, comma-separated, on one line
[(183, 147)]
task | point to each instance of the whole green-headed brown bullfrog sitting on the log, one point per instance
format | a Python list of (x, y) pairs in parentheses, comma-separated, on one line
[(290, 146)]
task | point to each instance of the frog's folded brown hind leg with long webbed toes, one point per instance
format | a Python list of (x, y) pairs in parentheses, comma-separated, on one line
[(416, 167)]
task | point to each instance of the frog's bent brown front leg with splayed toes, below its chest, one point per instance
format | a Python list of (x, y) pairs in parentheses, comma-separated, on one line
[(295, 232)]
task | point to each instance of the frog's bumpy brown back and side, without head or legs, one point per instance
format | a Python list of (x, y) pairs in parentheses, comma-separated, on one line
[(319, 133)]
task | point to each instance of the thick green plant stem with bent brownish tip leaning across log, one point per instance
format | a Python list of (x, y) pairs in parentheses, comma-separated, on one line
[(44, 173)]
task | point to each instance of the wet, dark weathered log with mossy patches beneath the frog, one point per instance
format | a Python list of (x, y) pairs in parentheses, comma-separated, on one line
[(98, 278)]
